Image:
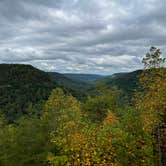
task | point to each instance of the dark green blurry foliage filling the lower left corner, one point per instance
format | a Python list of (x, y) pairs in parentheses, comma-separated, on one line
[(25, 143)]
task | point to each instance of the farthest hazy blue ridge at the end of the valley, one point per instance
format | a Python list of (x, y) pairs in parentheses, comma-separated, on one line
[(84, 77)]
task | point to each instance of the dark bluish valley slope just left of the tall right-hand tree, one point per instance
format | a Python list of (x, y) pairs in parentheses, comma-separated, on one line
[(128, 82)]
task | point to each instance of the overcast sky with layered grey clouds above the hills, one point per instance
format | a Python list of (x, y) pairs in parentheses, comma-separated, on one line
[(81, 36)]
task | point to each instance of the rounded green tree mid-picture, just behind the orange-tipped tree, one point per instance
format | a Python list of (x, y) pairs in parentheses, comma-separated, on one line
[(96, 107)]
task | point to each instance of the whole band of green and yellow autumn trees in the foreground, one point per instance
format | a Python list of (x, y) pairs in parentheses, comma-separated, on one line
[(97, 132)]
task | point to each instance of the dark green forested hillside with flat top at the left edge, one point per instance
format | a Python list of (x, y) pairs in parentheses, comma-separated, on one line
[(20, 87)]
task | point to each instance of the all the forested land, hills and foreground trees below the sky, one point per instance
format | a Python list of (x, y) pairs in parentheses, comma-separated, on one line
[(51, 119)]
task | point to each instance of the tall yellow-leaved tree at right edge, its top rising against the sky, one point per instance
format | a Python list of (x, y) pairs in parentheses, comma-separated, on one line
[(151, 99)]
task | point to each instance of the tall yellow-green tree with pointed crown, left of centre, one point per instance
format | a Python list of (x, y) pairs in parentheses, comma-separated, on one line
[(63, 115)]
